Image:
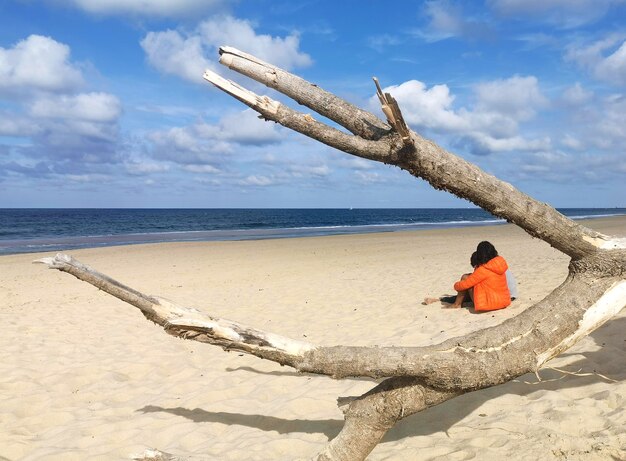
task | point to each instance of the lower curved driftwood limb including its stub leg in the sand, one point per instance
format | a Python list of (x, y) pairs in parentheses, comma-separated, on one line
[(424, 376)]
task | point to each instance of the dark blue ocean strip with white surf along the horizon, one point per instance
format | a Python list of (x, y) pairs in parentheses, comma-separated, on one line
[(35, 230)]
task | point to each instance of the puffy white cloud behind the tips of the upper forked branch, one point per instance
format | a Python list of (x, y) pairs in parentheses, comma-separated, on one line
[(184, 53)]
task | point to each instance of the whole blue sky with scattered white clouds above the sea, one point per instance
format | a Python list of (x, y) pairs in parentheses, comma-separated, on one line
[(102, 103)]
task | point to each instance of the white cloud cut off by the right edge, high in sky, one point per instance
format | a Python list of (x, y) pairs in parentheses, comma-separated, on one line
[(605, 59)]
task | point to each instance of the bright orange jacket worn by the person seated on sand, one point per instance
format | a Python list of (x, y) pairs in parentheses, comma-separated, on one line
[(490, 289)]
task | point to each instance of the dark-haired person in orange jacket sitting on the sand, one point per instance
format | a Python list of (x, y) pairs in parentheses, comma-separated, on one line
[(486, 286)]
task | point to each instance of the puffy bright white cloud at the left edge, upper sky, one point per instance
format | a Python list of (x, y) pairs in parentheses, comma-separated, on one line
[(38, 64)]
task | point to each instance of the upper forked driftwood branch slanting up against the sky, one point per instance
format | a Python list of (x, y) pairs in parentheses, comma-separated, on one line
[(420, 157)]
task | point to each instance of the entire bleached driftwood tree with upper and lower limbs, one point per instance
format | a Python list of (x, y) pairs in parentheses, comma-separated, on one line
[(417, 377)]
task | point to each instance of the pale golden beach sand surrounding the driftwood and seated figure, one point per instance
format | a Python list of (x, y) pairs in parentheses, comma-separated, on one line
[(84, 376)]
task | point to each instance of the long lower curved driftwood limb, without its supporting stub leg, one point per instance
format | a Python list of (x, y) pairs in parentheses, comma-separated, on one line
[(485, 358)]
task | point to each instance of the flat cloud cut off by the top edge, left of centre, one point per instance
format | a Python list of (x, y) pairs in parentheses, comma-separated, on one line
[(146, 7)]
